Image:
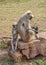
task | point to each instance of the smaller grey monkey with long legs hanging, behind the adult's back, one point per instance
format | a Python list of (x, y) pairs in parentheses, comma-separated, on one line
[(14, 37)]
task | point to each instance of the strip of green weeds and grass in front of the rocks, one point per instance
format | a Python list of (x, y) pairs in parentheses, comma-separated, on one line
[(11, 62)]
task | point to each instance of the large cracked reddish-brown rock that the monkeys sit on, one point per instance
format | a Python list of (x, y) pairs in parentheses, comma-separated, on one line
[(29, 49)]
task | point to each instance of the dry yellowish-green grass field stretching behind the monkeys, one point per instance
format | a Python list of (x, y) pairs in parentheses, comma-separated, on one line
[(11, 11)]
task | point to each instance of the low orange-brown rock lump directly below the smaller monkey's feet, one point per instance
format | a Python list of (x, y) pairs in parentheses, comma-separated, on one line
[(16, 56)]
